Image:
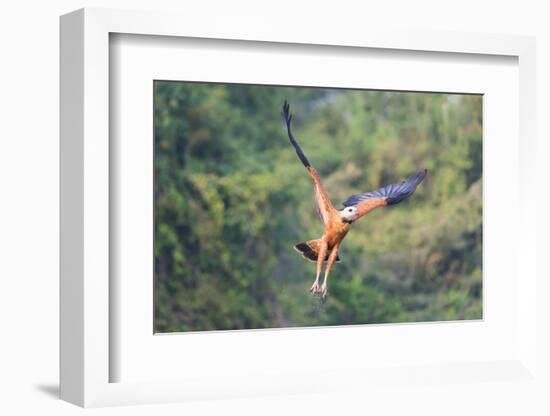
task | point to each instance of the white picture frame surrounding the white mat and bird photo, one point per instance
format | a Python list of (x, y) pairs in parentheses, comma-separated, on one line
[(86, 356)]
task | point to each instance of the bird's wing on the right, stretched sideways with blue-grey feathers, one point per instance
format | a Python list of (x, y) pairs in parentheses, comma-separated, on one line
[(387, 195)]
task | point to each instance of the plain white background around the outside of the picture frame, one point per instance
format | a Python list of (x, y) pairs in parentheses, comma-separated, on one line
[(29, 209)]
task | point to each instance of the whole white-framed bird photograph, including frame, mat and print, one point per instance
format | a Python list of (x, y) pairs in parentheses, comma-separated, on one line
[(242, 215)]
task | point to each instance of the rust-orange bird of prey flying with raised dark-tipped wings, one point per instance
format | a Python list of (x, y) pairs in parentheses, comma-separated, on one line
[(337, 222)]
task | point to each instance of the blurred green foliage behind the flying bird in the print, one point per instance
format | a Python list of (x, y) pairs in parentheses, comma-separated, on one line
[(231, 200)]
